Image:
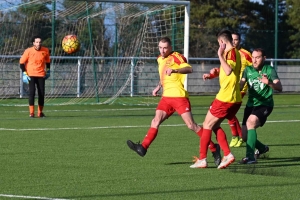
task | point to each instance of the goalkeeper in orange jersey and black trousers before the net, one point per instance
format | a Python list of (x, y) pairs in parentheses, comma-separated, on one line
[(35, 66)]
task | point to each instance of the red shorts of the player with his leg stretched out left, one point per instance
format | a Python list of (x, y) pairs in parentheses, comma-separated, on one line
[(171, 104)]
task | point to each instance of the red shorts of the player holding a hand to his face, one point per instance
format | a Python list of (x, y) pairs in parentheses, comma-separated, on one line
[(221, 109)]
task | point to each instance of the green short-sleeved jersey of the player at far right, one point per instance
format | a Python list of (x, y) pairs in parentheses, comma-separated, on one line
[(259, 93)]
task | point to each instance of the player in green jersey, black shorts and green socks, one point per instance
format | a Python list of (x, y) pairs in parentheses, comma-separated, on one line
[(262, 79)]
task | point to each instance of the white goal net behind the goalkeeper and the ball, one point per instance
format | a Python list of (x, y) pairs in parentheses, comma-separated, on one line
[(117, 59)]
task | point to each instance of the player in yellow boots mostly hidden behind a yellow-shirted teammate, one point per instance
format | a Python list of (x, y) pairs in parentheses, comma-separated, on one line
[(246, 60)]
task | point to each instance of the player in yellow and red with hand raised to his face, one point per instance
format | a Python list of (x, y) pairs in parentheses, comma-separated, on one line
[(227, 101)]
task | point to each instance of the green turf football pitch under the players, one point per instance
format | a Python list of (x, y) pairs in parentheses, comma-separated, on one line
[(80, 152)]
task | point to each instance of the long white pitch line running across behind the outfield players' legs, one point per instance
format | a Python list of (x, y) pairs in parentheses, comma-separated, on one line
[(114, 127)]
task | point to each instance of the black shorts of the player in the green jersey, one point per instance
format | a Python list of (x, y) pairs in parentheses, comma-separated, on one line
[(261, 112)]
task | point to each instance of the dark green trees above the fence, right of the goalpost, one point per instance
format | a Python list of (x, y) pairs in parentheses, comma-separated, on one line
[(255, 21)]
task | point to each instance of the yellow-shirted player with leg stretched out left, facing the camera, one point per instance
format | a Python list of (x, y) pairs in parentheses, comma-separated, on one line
[(172, 67)]
